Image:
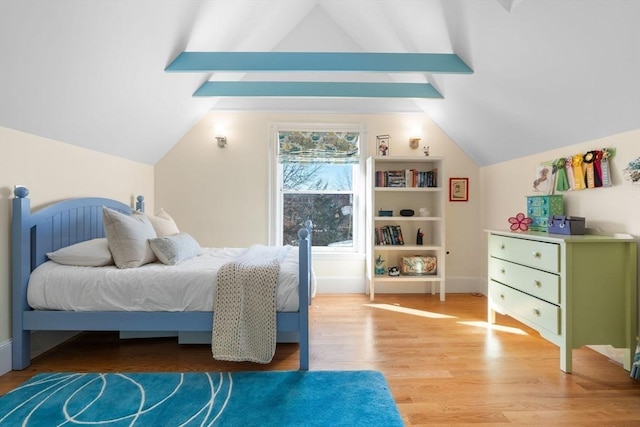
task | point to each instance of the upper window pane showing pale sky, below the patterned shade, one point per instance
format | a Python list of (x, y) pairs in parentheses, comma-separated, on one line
[(317, 176)]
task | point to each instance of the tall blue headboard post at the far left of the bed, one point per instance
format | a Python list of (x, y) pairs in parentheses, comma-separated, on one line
[(20, 270)]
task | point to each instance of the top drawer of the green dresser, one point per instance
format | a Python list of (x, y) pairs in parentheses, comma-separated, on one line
[(541, 255)]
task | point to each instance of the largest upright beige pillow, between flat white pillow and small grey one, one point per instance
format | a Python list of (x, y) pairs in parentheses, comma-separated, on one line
[(128, 237)]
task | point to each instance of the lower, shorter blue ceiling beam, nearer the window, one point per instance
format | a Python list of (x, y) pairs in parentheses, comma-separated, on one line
[(317, 89)]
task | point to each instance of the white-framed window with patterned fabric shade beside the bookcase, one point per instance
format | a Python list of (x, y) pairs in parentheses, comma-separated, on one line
[(317, 177)]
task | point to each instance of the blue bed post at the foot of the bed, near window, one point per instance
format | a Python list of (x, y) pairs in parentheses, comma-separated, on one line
[(304, 246)]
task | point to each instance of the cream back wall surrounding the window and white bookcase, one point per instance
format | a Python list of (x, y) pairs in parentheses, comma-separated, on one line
[(221, 196)]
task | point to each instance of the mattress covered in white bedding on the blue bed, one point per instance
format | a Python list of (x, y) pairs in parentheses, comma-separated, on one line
[(187, 286)]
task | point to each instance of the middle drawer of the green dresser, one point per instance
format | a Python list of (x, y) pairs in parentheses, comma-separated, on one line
[(530, 280)]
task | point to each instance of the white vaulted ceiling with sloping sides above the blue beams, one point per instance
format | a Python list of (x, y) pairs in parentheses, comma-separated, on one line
[(546, 73)]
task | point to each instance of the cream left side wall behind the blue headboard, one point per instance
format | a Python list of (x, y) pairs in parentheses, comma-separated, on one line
[(54, 171)]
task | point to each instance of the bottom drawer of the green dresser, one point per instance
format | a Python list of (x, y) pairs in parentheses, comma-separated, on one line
[(531, 309)]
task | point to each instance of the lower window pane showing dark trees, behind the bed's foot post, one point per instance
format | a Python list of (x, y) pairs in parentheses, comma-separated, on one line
[(331, 215)]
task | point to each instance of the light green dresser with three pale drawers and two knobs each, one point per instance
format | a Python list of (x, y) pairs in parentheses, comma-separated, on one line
[(574, 290)]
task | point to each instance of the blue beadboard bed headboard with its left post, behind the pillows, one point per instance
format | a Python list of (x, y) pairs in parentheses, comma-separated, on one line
[(53, 227)]
